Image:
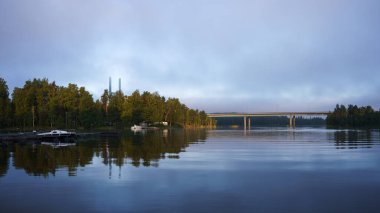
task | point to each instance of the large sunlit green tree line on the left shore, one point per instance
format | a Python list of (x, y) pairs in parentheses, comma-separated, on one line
[(43, 104)]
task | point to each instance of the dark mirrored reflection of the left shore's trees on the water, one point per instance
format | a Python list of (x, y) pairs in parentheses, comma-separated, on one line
[(147, 149)]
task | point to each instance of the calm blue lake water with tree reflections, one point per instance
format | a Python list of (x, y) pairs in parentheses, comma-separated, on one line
[(262, 170)]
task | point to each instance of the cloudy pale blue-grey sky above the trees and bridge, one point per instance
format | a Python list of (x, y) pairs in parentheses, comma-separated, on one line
[(214, 55)]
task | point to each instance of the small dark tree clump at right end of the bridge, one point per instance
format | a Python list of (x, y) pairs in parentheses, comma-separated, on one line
[(353, 116)]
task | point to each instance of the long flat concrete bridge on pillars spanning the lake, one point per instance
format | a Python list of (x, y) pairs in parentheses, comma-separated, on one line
[(247, 116)]
